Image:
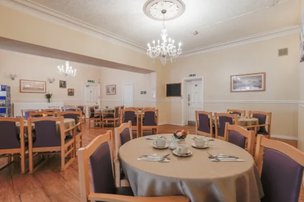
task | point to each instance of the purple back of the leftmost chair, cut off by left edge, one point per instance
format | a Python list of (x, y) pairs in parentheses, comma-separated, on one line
[(11, 135)]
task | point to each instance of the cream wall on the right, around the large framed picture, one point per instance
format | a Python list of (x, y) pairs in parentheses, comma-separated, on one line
[(282, 81)]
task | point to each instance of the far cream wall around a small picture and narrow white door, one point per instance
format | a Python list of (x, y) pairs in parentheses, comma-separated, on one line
[(140, 82)]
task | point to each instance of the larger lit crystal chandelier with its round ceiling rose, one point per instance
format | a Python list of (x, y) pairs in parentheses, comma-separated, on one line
[(165, 48)]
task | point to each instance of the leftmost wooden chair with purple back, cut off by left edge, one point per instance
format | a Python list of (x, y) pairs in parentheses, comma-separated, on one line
[(12, 139)]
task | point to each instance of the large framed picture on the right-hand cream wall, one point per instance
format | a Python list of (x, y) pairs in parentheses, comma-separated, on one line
[(247, 82)]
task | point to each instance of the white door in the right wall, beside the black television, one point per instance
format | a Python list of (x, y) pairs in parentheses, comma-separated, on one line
[(194, 99)]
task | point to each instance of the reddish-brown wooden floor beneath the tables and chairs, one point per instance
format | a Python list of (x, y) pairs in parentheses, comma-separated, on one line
[(48, 183)]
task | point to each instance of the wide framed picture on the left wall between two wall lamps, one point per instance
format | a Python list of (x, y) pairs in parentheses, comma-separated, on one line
[(32, 86)]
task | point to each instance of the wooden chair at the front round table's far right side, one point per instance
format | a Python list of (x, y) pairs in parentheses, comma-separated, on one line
[(241, 137)]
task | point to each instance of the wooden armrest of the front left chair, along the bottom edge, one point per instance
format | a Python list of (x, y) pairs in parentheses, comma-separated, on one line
[(123, 198)]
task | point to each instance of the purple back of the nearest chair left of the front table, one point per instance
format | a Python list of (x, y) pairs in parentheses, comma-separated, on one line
[(98, 154)]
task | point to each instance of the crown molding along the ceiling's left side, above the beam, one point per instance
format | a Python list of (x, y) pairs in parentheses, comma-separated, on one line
[(51, 15)]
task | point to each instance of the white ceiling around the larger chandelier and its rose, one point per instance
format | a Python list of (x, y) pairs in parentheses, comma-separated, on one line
[(217, 21)]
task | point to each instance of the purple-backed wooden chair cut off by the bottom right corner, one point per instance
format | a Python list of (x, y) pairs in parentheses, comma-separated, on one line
[(281, 169)]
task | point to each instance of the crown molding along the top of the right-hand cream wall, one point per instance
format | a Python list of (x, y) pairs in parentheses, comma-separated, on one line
[(246, 40)]
